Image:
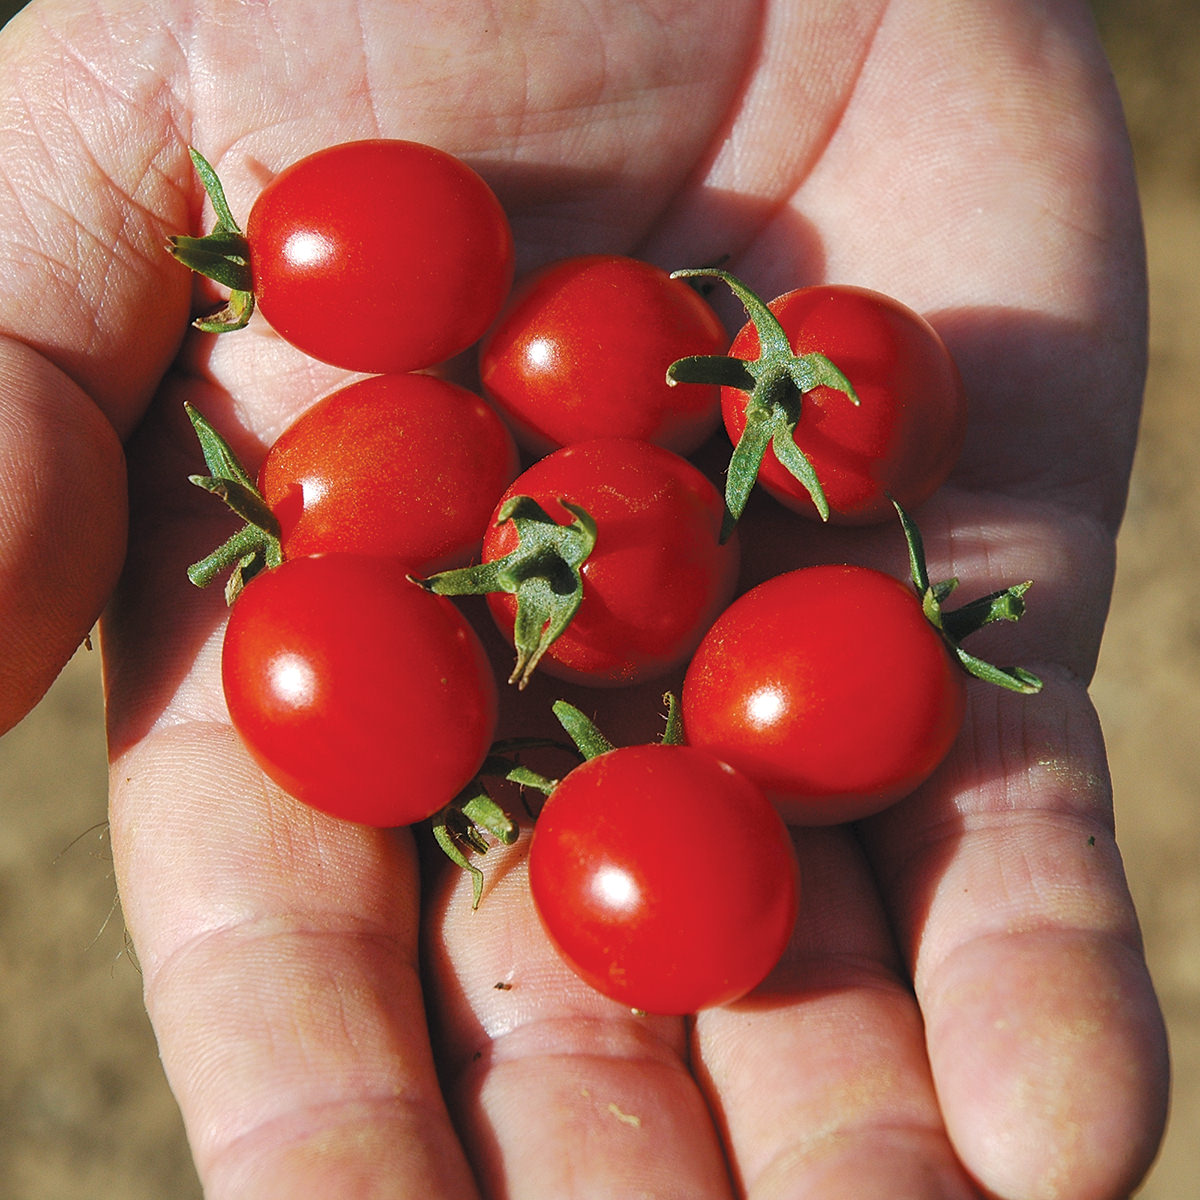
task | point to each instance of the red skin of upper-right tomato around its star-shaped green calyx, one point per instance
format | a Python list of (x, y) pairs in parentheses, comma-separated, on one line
[(907, 433)]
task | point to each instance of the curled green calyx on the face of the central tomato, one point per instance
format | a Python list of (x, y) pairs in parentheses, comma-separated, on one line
[(544, 573)]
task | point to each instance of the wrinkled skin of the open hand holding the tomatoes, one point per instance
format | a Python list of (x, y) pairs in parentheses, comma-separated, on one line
[(965, 1010)]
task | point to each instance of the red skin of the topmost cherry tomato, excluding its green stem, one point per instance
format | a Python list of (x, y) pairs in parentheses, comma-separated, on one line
[(380, 256)]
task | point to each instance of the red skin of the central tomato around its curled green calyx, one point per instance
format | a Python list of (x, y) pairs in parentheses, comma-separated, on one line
[(657, 578)]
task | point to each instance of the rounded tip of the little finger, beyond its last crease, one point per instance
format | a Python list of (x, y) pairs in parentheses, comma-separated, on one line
[(1059, 1083)]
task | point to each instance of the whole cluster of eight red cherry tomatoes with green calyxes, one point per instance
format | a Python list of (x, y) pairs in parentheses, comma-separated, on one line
[(362, 688)]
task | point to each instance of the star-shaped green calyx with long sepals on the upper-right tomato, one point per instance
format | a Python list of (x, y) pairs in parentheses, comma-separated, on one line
[(776, 385)]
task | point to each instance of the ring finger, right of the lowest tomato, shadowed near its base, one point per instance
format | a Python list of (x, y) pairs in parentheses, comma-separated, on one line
[(819, 1079)]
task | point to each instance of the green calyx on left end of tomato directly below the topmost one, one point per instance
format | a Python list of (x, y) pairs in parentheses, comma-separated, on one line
[(254, 548)]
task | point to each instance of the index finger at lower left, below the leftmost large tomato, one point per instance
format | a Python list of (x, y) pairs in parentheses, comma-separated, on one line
[(281, 976)]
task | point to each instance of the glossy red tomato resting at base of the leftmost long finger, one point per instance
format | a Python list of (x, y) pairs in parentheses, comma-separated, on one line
[(356, 691)]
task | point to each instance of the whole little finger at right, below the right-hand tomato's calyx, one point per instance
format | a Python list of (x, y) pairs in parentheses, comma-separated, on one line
[(1045, 1036)]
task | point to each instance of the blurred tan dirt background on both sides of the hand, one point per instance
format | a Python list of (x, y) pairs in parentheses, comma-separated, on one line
[(85, 1111)]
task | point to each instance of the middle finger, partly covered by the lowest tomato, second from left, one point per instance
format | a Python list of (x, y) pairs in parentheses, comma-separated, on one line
[(557, 1090)]
